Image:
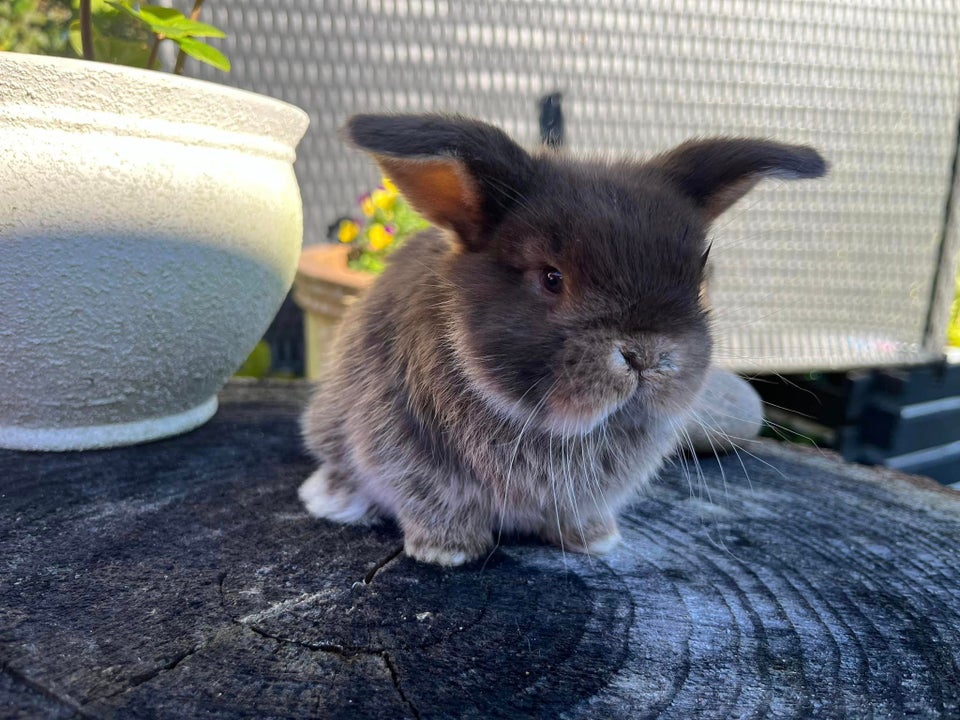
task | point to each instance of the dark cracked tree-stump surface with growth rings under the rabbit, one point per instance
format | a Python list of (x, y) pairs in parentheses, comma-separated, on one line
[(182, 579)]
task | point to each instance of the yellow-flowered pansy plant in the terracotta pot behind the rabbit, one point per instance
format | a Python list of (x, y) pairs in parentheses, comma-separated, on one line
[(386, 221)]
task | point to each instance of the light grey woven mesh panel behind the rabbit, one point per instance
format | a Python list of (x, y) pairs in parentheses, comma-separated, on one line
[(832, 273)]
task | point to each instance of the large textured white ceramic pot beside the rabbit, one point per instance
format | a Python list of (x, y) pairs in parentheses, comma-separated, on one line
[(150, 227)]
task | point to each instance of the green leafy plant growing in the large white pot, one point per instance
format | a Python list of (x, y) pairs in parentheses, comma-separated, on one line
[(104, 31)]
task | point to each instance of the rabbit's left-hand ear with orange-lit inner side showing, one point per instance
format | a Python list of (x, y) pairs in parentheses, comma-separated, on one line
[(460, 174)]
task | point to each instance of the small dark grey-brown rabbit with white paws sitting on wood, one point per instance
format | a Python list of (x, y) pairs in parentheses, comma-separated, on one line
[(524, 366)]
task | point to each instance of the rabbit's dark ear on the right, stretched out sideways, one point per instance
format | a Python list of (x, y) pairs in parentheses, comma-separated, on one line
[(716, 173)]
